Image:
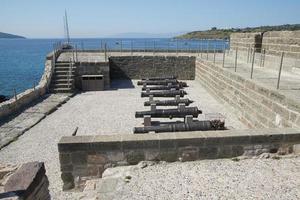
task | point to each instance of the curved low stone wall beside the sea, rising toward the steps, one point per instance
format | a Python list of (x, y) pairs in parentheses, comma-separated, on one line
[(13, 105)]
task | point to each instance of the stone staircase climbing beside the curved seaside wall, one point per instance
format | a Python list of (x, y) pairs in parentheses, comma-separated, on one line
[(63, 78)]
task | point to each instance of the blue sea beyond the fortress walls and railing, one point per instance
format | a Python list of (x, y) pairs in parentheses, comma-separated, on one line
[(22, 60)]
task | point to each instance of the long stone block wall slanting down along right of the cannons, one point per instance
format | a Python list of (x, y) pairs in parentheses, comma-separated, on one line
[(255, 105)]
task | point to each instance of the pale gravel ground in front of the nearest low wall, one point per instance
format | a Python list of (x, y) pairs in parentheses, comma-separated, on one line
[(215, 179)]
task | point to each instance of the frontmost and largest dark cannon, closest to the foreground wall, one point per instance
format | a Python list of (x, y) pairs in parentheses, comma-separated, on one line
[(181, 127)]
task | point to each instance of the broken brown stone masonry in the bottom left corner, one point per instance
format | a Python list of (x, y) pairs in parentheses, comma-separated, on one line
[(26, 182)]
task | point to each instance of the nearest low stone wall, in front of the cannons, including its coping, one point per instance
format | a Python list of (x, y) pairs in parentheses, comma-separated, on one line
[(84, 157)]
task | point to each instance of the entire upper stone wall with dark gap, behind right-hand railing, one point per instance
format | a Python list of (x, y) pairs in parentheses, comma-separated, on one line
[(269, 47)]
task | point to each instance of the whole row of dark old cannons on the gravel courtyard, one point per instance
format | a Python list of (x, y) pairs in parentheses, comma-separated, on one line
[(170, 87)]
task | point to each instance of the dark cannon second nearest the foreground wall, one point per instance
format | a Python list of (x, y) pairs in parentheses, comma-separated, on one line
[(170, 113)]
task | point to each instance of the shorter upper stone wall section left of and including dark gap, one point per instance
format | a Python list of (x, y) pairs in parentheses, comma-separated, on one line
[(244, 41)]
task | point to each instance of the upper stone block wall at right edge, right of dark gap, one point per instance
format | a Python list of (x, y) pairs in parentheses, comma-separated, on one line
[(275, 42)]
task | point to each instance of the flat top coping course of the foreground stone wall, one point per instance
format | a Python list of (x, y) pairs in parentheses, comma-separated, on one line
[(227, 137)]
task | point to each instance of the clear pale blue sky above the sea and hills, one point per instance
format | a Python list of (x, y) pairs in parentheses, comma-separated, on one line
[(117, 18)]
